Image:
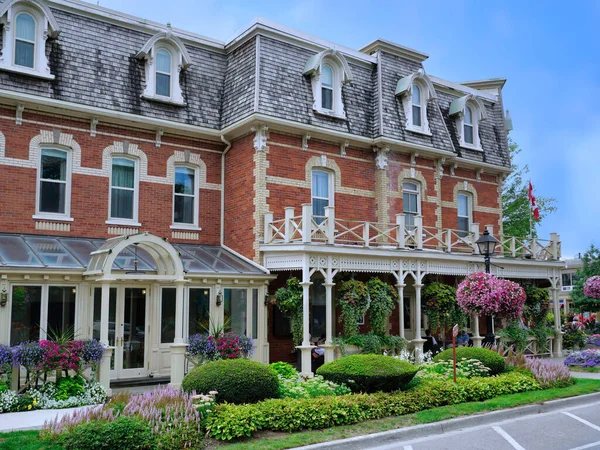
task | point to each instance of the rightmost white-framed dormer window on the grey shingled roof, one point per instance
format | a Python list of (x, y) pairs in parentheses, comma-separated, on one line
[(468, 111)]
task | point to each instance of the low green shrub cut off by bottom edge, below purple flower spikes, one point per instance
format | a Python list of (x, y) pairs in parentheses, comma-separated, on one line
[(122, 432)]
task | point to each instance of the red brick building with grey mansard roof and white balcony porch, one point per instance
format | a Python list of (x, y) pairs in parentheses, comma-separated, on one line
[(154, 180)]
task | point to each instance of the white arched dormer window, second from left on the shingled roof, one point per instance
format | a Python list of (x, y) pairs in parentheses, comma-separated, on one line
[(165, 57)]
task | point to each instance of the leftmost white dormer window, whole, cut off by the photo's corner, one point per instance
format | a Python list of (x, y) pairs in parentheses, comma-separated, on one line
[(25, 27)]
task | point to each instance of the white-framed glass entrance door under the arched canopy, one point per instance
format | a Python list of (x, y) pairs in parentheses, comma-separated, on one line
[(127, 330)]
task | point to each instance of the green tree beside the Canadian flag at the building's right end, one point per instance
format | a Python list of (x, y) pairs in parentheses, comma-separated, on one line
[(516, 208)]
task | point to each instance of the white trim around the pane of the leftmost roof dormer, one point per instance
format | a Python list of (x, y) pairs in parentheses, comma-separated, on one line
[(45, 27)]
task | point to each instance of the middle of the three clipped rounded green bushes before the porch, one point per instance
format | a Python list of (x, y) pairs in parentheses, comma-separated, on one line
[(369, 373)]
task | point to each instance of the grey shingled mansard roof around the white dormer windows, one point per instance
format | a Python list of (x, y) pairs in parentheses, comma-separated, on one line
[(96, 63)]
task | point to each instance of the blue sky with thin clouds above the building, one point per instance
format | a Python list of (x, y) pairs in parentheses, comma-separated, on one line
[(548, 51)]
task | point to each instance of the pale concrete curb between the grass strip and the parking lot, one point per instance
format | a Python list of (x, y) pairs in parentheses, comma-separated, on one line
[(444, 426)]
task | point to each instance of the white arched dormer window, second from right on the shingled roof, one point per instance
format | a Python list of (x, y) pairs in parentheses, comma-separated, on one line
[(415, 92)]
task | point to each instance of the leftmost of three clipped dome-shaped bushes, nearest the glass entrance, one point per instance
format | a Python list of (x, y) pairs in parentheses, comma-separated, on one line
[(236, 380)]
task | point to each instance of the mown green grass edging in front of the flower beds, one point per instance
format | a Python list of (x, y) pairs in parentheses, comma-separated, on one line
[(29, 440)]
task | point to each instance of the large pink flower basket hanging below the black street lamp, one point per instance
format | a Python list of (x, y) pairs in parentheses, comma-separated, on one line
[(483, 293)]
